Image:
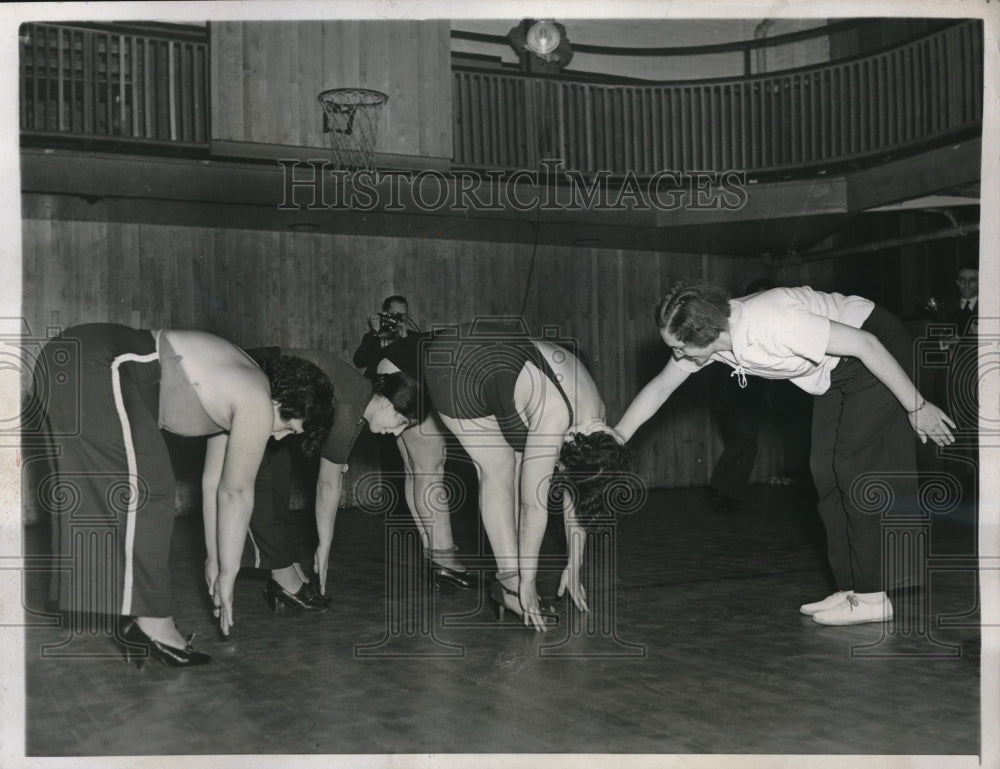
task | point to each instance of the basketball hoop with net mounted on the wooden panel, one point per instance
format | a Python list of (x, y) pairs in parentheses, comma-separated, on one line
[(350, 117)]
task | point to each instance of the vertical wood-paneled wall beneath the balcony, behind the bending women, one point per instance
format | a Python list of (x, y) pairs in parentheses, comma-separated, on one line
[(315, 290)]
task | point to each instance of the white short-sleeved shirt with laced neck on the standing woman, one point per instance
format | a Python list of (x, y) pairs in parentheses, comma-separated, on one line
[(783, 334)]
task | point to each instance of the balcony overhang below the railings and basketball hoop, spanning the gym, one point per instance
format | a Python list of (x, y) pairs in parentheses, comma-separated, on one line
[(690, 212)]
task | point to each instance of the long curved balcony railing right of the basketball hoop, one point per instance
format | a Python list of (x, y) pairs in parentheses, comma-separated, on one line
[(920, 92)]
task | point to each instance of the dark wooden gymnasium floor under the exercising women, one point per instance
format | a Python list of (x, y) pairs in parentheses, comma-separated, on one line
[(695, 645)]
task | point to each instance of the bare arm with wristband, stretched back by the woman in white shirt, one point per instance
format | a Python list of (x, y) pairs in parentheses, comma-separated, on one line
[(927, 419)]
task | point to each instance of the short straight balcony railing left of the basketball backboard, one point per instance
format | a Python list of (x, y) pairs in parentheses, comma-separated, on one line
[(115, 83)]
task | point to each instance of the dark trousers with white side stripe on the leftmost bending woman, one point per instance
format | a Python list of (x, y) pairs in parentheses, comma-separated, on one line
[(112, 491)]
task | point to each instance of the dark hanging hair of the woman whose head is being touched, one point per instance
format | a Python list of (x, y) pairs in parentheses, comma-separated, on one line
[(589, 464)]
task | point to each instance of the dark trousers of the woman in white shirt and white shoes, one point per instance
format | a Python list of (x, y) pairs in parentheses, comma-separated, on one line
[(863, 460)]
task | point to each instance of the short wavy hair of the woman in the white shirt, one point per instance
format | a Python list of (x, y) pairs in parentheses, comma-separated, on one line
[(694, 311)]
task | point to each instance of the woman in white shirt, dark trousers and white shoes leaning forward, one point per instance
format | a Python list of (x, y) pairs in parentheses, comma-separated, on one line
[(856, 358)]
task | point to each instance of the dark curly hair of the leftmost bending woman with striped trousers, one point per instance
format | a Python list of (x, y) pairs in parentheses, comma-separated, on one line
[(304, 392)]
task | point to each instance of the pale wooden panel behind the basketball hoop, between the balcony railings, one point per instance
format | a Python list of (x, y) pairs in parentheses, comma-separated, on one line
[(272, 71)]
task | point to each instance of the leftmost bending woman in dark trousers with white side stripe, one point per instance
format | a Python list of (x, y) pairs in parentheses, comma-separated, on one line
[(108, 390)]
